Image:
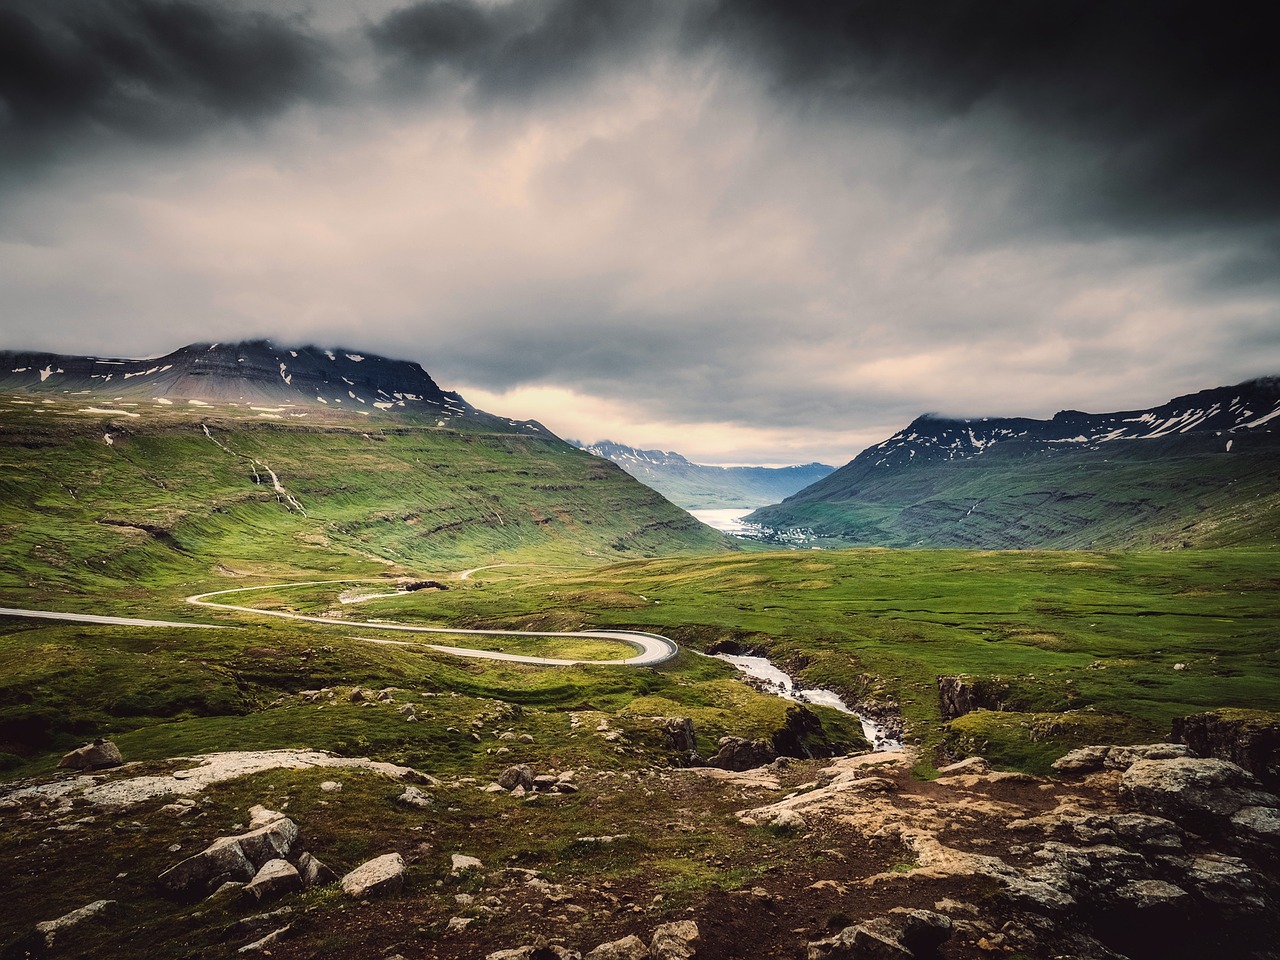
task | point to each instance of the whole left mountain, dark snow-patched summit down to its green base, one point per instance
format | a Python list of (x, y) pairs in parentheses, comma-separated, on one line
[(214, 458)]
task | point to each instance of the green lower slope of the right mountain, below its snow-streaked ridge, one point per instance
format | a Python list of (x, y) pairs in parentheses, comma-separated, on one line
[(1131, 495)]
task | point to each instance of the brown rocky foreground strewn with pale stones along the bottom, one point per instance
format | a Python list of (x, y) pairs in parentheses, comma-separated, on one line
[(1130, 852)]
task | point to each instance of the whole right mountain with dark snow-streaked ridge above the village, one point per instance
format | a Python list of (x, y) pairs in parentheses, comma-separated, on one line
[(1199, 470)]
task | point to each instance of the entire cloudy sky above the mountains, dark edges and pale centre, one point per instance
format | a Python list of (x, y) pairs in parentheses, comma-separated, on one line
[(748, 231)]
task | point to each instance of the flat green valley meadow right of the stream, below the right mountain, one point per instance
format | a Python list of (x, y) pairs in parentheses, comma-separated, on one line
[(1095, 633)]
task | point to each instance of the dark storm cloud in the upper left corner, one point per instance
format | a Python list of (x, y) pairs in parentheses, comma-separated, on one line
[(145, 70)]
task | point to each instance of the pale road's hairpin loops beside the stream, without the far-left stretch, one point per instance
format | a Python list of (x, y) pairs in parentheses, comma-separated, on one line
[(653, 648)]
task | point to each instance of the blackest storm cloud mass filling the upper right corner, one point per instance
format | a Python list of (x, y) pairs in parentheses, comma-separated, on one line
[(1169, 107)]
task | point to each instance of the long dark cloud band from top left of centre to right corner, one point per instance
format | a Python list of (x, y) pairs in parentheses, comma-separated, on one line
[(1132, 115)]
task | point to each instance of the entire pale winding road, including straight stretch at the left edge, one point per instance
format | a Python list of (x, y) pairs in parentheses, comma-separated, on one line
[(652, 648)]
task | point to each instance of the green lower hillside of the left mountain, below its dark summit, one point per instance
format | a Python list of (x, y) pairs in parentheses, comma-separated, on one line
[(117, 505)]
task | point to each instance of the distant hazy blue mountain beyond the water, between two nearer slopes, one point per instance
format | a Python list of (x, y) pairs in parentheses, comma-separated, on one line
[(700, 487)]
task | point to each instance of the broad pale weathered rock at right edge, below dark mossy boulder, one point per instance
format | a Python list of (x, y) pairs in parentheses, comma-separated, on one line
[(1200, 793)]
